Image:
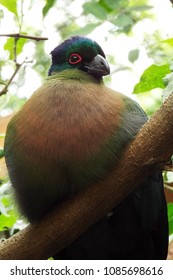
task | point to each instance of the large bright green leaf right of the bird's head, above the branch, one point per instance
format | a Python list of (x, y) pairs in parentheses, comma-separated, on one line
[(152, 78)]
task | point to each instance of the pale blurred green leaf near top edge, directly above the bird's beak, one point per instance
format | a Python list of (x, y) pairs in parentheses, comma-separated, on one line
[(95, 9)]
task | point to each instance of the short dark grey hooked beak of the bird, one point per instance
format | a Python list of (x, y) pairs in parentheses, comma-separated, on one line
[(98, 66)]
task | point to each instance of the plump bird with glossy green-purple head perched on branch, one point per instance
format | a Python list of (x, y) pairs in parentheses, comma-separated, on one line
[(69, 135)]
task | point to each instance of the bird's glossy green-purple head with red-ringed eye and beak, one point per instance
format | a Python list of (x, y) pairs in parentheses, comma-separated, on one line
[(79, 53)]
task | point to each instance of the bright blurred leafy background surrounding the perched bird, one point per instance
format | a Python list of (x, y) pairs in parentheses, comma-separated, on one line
[(136, 36)]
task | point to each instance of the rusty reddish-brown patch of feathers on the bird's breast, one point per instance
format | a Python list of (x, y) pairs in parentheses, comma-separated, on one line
[(69, 121)]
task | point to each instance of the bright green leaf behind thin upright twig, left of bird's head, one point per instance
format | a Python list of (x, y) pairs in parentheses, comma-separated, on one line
[(9, 46)]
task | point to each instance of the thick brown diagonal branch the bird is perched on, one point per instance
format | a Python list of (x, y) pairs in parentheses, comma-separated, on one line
[(150, 151)]
